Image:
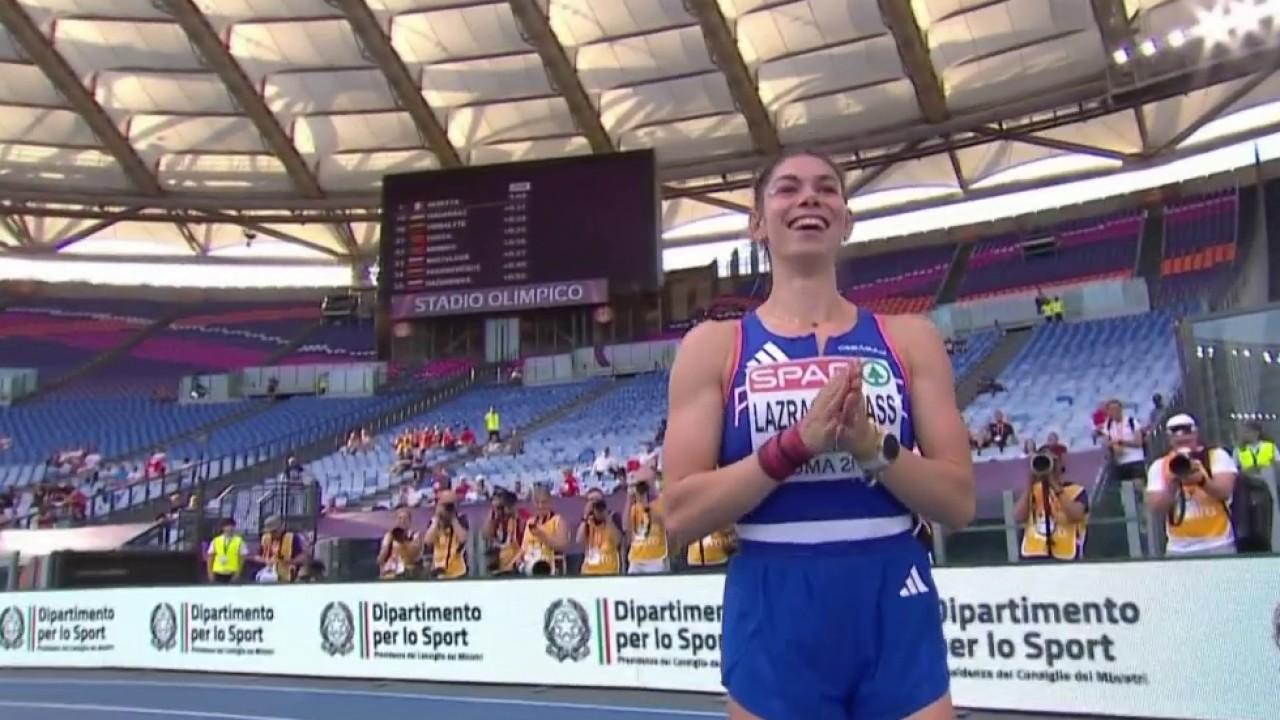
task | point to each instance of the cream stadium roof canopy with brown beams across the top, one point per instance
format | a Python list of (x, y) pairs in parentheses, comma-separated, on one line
[(181, 127)]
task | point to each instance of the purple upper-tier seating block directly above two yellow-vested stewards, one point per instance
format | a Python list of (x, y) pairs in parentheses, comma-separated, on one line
[(1095, 249)]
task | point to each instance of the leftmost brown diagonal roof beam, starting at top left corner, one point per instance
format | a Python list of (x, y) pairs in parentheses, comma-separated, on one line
[(43, 53)]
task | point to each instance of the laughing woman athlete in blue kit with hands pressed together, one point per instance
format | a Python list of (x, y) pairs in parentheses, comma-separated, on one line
[(790, 423)]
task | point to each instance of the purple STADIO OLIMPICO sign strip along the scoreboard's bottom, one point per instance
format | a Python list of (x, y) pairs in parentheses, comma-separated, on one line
[(501, 299)]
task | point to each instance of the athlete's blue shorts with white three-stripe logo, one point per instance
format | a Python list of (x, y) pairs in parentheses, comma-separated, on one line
[(835, 634)]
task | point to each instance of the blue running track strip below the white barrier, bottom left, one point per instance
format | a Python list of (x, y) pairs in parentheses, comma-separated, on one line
[(48, 695)]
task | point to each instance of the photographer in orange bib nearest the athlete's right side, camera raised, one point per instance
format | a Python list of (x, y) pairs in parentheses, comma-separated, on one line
[(1055, 513)]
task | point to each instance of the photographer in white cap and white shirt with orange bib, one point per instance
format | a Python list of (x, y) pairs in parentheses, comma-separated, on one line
[(1192, 486)]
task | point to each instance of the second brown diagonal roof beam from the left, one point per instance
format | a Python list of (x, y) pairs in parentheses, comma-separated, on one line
[(205, 40)]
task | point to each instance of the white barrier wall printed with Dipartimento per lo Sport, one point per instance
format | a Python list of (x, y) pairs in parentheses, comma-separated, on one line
[(1188, 640)]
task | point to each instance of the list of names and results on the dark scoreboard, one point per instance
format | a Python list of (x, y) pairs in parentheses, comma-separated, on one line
[(459, 243)]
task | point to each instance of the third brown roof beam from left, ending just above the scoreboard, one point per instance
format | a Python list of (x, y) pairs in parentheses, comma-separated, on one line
[(408, 90)]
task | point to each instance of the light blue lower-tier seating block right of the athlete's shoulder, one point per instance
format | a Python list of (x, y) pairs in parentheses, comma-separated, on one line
[(1066, 371)]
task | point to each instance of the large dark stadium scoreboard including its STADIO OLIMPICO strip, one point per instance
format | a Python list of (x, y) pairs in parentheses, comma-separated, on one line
[(497, 239)]
